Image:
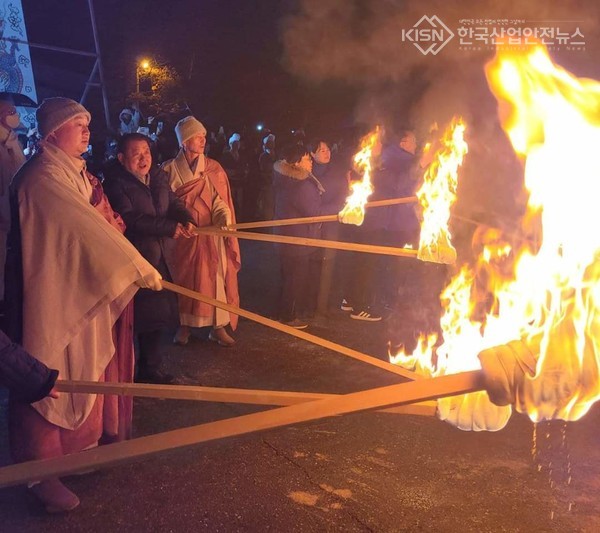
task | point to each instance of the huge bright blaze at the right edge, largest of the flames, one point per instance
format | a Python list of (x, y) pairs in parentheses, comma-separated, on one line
[(543, 294)]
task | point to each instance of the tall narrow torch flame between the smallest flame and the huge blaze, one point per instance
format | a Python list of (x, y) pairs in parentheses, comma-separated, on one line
[(437, 194)]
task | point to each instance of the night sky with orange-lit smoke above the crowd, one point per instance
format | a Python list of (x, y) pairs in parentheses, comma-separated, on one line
[(318, 64)]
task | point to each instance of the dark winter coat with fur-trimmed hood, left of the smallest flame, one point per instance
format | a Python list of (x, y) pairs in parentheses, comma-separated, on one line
[(297, 194)]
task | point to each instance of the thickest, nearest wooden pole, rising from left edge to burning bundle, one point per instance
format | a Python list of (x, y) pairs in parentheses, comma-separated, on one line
[(122, 452)]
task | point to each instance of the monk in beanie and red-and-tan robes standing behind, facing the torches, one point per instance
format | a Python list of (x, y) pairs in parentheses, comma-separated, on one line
[(204, 187)]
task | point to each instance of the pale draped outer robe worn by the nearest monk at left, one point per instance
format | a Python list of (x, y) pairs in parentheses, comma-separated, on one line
[(79, 273)]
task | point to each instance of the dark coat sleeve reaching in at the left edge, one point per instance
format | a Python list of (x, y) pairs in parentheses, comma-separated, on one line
[(28, 379)]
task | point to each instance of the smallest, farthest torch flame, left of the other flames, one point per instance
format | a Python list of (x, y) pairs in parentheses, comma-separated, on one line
[(353, 211)]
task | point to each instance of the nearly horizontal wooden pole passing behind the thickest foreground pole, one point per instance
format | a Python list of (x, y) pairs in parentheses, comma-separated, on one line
[(217, 394)]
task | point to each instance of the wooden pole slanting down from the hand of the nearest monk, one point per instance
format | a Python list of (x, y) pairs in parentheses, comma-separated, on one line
[(343, 350)]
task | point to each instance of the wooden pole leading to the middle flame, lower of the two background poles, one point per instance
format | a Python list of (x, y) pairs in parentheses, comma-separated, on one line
[(303, 241)]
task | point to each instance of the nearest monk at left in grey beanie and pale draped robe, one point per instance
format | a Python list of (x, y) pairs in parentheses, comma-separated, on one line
[(78, 274)]
